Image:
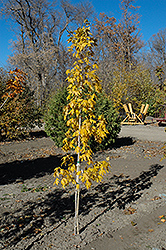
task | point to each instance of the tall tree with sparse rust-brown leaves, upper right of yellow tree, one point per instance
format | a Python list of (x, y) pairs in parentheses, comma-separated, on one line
[(119, 42)]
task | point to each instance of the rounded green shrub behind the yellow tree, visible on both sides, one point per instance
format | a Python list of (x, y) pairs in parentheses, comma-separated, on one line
[(55, 126)]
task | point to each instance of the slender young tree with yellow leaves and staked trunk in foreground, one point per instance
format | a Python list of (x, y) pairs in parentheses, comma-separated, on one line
[(82, 123)]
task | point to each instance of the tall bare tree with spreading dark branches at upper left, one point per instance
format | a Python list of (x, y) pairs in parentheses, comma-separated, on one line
[(39, 50)]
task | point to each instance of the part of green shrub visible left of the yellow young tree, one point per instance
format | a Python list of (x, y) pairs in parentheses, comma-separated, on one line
[(55, 126)]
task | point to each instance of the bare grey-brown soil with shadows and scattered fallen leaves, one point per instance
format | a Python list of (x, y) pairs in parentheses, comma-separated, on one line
[(121, 212)]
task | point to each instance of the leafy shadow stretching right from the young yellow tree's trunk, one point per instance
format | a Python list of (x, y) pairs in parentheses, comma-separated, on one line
[(125, 191)]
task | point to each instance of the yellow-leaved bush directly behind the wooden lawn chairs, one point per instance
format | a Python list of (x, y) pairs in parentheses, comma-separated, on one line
[(134, 86)]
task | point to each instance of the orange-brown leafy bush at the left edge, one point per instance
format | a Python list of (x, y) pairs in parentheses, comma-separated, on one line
[(18, 111)]
